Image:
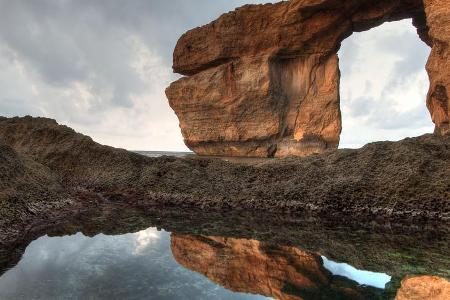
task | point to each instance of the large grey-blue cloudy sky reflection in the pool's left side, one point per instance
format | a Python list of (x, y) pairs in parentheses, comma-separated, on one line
[(131, 266)]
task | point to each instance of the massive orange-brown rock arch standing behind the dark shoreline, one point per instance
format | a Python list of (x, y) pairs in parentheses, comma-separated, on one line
[(263, 80)]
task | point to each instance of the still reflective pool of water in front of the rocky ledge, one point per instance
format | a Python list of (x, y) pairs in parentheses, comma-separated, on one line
[(110, 256)]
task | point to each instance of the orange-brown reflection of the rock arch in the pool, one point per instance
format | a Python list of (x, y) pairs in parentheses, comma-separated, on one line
[(250, 266)]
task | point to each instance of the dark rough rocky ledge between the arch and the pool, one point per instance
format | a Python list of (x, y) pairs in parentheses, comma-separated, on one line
[(48, 170)]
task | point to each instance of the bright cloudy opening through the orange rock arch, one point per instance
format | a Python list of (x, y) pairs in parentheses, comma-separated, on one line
[(383, 85)]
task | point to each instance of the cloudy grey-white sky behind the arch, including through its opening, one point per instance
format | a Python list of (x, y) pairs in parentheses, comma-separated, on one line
[(101, 67)]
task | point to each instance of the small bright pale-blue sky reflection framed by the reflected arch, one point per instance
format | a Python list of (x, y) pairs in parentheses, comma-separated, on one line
[(378, 280)]
